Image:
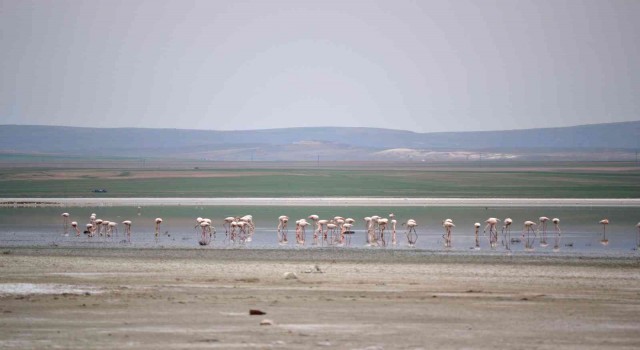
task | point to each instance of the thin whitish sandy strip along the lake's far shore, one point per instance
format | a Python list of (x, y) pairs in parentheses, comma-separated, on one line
[(325, 202)]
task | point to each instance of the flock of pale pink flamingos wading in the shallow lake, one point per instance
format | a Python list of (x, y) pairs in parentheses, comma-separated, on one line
[(338, 230)]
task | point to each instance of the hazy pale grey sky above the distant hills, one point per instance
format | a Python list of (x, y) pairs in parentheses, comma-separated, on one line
[(415, 65)]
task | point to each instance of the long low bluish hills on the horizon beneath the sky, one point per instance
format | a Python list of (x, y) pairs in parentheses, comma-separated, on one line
[(326, 142)]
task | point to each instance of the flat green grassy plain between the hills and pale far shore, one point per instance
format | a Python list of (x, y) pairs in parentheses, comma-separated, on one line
[(175, 179)]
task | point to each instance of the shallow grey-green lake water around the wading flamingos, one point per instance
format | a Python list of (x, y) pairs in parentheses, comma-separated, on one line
[(581, 233)]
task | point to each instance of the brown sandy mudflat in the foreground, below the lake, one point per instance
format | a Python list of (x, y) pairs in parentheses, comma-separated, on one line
[(163, 298)]
